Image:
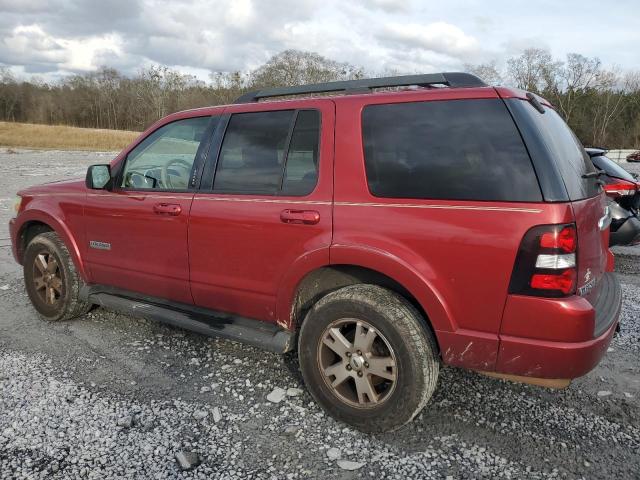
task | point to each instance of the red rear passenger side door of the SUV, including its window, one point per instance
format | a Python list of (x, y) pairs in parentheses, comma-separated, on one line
[(265, 206)]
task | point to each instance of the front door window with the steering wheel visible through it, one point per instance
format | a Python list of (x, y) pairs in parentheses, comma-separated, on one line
[(164, 160)]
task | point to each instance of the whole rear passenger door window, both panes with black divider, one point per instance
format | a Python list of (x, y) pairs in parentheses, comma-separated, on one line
[(269, 153)]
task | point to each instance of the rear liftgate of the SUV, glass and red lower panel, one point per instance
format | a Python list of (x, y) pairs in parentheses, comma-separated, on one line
[(584, 192)]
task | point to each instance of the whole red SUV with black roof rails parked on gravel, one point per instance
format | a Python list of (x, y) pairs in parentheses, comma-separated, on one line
[(382, 232)]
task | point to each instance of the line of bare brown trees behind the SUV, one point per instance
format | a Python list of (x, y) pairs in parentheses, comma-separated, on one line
[(601, 105)]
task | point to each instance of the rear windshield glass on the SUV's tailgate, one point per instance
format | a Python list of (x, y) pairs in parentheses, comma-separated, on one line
[(567, 151)]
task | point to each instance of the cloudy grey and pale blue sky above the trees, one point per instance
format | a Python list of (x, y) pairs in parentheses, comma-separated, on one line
[(53, 38)]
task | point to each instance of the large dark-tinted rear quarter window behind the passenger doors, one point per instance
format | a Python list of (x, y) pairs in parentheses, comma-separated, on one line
[(461, 149)]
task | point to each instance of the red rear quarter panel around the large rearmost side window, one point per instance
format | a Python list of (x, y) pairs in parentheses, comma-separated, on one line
[(455, 257)]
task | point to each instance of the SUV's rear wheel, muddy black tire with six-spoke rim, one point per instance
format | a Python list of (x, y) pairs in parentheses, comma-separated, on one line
[(385, 386)]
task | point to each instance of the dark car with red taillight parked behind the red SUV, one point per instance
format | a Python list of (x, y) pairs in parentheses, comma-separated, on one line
[(623, 190)]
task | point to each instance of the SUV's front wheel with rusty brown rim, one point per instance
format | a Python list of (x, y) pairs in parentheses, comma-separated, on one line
[(56, 297)]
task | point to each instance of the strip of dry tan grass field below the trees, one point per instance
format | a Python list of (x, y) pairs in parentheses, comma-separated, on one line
[(27, 135)]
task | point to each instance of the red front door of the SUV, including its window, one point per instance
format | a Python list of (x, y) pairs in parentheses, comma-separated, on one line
[(137, 232)]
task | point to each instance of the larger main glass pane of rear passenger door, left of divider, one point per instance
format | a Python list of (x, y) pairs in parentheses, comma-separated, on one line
[(252, 155)]
